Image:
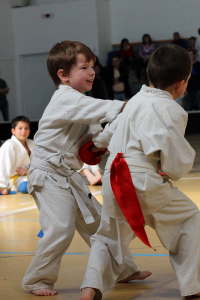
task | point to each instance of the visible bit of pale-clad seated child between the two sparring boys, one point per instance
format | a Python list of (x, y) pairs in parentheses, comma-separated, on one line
[(92, 173)]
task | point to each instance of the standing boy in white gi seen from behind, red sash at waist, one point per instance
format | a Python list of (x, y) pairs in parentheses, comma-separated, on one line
[(149, 132)]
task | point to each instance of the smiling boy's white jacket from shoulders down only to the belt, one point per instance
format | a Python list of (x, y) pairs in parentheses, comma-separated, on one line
[(65, 122)]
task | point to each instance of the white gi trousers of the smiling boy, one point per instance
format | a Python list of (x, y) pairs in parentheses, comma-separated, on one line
[(59, 217)]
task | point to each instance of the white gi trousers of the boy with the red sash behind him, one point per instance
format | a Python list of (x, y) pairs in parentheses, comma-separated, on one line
[(178, 227)]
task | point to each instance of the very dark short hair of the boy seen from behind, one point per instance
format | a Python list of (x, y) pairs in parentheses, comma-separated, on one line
[(167, 65)]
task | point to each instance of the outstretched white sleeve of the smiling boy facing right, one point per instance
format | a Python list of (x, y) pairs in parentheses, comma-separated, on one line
[(88, 110)]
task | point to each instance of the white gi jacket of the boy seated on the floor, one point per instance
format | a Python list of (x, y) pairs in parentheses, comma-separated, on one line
[(12, 156)]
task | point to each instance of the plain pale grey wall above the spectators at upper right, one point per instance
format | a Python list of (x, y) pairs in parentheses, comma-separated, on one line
[(159, 18)]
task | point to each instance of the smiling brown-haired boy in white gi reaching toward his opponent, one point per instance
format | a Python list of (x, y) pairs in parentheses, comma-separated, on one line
[(60, 192)]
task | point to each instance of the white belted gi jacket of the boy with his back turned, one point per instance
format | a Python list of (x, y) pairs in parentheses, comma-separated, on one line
[(149, 132)]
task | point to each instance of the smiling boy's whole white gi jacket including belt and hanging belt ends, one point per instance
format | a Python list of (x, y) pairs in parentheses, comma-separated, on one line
[(63, 129)]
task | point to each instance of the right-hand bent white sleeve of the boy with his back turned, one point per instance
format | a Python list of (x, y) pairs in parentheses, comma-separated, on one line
[(164, 132)]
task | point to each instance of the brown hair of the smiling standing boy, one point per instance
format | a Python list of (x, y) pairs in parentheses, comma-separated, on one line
[(63, 56)]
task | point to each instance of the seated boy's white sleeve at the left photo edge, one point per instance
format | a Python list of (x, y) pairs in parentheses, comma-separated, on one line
[(7, 160)]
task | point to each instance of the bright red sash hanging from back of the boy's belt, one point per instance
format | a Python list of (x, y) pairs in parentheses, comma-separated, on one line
[(125, 194)]
